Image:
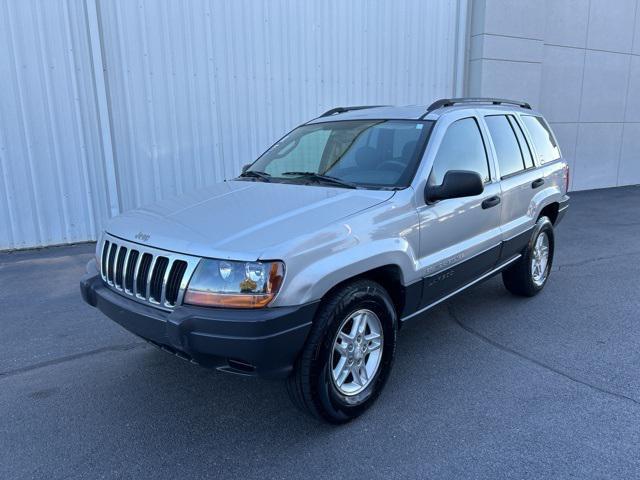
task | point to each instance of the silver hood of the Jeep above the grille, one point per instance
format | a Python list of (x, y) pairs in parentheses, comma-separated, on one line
[(238, 219)]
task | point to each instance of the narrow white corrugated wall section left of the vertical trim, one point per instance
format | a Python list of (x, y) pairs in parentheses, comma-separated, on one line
[(52, 187)]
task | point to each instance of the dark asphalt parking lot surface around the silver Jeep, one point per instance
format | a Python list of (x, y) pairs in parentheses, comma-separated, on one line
[(486, 385)]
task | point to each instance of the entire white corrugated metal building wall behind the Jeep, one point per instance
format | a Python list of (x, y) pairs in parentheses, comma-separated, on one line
[(193, 91)]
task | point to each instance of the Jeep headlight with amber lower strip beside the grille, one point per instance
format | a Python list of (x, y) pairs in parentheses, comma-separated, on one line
[(225, 283)]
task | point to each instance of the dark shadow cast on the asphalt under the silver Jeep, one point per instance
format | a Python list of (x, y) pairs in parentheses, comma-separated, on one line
[(179, 395)]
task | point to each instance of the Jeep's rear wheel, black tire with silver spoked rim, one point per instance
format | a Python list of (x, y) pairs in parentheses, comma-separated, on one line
[(522, 278)]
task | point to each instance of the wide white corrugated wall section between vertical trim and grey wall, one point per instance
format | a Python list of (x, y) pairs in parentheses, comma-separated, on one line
[(199, 88)]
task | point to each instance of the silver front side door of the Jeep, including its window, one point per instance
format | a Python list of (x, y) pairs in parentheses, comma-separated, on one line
[(459, 237)]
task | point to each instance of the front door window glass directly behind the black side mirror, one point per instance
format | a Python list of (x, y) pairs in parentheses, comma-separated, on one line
[(462, 148)]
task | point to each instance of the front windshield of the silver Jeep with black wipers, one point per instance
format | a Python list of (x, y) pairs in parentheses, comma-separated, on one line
[(366, 153)]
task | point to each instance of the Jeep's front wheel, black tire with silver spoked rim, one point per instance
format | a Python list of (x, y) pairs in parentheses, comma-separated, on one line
[(312, 386)]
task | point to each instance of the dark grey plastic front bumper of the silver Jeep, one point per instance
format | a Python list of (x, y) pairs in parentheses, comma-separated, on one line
[(263, 342)]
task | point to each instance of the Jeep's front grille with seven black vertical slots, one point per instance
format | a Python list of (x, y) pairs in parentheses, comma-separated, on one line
[(148, 275)]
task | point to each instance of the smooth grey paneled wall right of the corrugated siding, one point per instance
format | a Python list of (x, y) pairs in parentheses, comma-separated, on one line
[(585, 78)]
